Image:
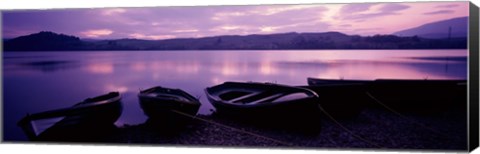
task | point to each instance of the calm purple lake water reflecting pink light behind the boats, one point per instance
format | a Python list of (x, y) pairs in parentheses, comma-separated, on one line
[(40, 81)]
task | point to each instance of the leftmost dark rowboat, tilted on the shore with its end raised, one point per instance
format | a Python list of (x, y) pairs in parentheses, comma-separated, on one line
[(85, 120)]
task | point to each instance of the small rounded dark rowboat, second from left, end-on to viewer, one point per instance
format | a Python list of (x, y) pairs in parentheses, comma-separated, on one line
[(175, 105)]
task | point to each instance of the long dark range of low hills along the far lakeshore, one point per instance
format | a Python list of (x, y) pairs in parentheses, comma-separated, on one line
[(49, 41)]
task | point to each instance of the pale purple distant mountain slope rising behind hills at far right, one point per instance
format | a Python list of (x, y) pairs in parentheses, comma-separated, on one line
[(439, 29)]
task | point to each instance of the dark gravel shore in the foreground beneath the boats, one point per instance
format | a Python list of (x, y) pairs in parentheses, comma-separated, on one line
[(373, 128)]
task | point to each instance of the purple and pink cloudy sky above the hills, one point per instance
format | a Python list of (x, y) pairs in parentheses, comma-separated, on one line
[(180, 22)]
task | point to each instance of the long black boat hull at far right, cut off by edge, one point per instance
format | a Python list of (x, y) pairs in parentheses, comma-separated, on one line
[(409, 94)]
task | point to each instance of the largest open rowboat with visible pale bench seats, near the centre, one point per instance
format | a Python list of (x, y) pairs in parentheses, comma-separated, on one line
[(266, 102)]
